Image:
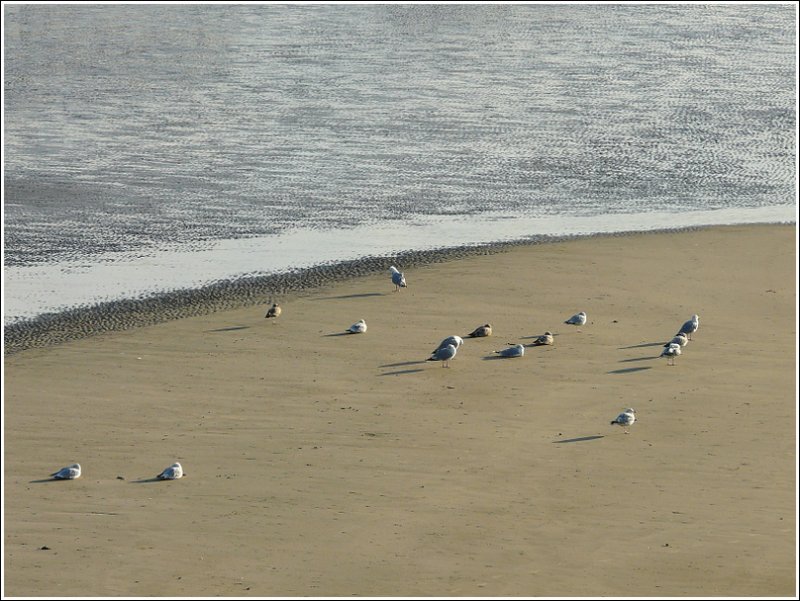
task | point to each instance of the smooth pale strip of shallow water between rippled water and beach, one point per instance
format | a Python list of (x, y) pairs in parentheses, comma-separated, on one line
[(115, 276)]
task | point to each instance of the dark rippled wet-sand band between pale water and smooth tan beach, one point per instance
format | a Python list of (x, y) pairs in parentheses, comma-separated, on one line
[(124, 314)]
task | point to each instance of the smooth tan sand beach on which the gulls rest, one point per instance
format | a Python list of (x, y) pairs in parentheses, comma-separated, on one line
[(322, 464)]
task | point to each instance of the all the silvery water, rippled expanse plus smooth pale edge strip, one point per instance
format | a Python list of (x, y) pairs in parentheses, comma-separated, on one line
[(159, 147)]
